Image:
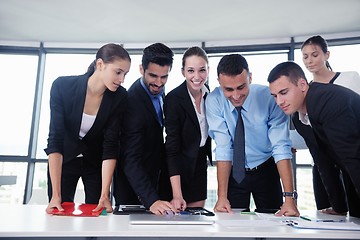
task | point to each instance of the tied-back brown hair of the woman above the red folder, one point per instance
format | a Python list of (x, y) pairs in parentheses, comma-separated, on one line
[(109, 53)]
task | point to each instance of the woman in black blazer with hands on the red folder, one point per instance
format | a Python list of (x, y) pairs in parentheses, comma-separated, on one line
[(86, 113)]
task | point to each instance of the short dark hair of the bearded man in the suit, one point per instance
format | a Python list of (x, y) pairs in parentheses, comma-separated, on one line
[(157, 53)]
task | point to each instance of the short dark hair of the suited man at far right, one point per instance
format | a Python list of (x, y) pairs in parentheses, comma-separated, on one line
[(288, 69)]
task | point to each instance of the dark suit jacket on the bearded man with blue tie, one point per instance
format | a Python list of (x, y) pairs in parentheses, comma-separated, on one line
[(142, 154)]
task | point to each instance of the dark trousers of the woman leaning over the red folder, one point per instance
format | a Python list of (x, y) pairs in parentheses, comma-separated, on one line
[(72, 171)]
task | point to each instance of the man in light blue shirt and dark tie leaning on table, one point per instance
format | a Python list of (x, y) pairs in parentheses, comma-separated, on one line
[(267, 143)]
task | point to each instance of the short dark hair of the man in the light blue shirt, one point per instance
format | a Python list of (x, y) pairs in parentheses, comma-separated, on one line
[(232, 65)]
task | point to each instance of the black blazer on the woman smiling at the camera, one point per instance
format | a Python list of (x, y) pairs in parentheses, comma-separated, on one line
[(182, 134)]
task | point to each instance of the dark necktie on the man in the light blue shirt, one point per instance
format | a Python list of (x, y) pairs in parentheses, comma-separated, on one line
[(239, 149)]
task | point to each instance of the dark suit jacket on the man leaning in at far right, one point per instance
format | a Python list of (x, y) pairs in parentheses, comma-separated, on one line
[(334, 113)]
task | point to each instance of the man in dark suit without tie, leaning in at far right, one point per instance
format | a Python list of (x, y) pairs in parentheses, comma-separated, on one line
[(333, 112)]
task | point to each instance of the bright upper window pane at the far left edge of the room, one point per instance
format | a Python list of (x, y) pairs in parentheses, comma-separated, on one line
[(17, 89)]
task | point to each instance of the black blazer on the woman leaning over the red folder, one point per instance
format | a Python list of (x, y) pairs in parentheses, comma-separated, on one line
[(67, 99)]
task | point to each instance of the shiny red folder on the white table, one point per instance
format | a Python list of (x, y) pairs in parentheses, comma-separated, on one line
[(77, 209)]
